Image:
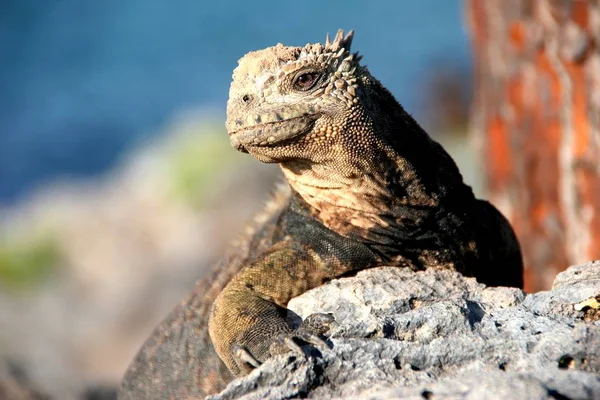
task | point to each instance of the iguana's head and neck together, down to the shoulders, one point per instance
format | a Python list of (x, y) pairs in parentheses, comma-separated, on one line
[(344, 144)]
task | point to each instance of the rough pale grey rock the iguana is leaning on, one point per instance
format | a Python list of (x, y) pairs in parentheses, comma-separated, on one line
[(437, 335)]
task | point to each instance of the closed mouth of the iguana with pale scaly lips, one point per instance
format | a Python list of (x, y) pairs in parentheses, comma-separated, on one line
[(272, 133)]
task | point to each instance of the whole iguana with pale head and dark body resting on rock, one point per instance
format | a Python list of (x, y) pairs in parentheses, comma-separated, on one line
[(367, 187)]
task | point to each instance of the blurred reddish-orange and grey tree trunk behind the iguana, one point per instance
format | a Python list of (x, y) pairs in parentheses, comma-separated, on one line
[(536, 120)]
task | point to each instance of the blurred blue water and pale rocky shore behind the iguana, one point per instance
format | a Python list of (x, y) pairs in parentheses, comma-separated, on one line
[(118, 187)]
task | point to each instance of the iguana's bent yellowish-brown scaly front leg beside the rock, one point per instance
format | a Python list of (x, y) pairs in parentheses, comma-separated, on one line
[(250, 312)]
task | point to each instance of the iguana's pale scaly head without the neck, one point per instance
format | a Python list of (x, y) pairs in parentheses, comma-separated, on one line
[(295, 102)]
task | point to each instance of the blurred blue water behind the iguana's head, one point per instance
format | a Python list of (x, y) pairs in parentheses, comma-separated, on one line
[(82, 81)]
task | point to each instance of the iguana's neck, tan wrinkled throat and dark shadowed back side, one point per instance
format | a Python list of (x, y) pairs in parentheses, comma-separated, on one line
[(387, 189)]
